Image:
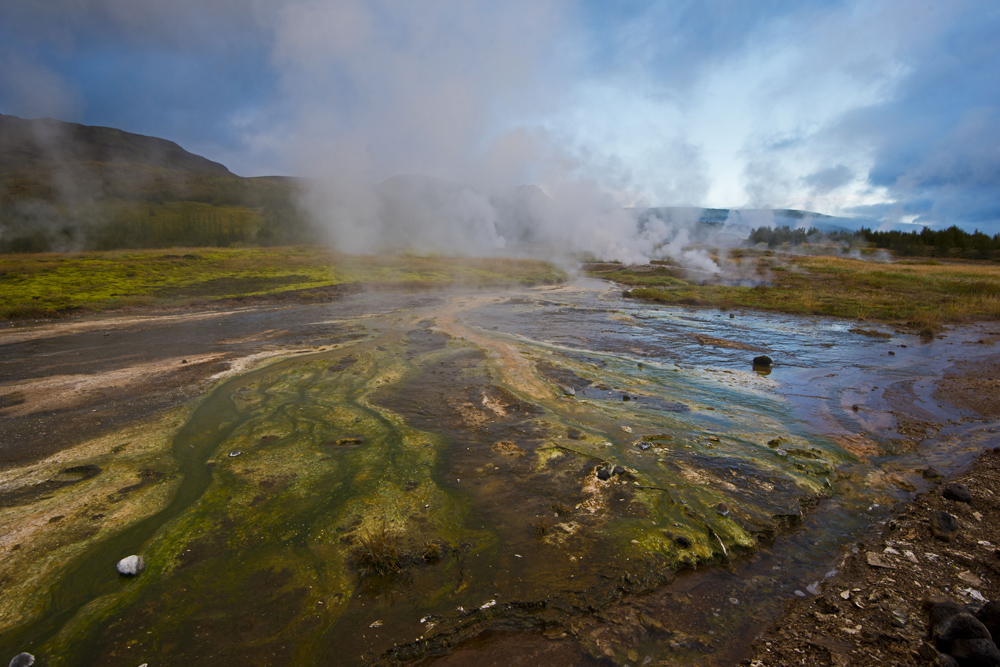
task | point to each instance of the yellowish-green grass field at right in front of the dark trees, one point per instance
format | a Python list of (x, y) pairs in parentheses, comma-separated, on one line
[(922, 295)]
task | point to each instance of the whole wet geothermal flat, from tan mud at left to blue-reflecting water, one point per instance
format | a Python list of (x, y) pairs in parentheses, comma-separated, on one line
[(393, 477)]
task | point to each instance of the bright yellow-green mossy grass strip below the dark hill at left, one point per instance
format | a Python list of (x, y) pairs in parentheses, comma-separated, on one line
[(51, 285)]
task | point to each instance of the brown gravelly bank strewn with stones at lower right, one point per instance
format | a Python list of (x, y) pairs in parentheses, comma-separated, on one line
[(872, 611)]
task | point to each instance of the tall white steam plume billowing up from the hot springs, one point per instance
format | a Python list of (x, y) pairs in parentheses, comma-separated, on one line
[(405, 132)]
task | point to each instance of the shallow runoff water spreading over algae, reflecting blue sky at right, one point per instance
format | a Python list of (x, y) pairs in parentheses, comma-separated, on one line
[(469, 429)]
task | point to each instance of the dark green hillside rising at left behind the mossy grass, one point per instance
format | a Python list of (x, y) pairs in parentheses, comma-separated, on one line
[(65, 186)]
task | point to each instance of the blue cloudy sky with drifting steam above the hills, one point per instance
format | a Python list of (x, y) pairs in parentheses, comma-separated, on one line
[(883, 109)]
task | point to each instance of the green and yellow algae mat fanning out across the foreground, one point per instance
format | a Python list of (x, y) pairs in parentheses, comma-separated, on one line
[(386, 499)]
